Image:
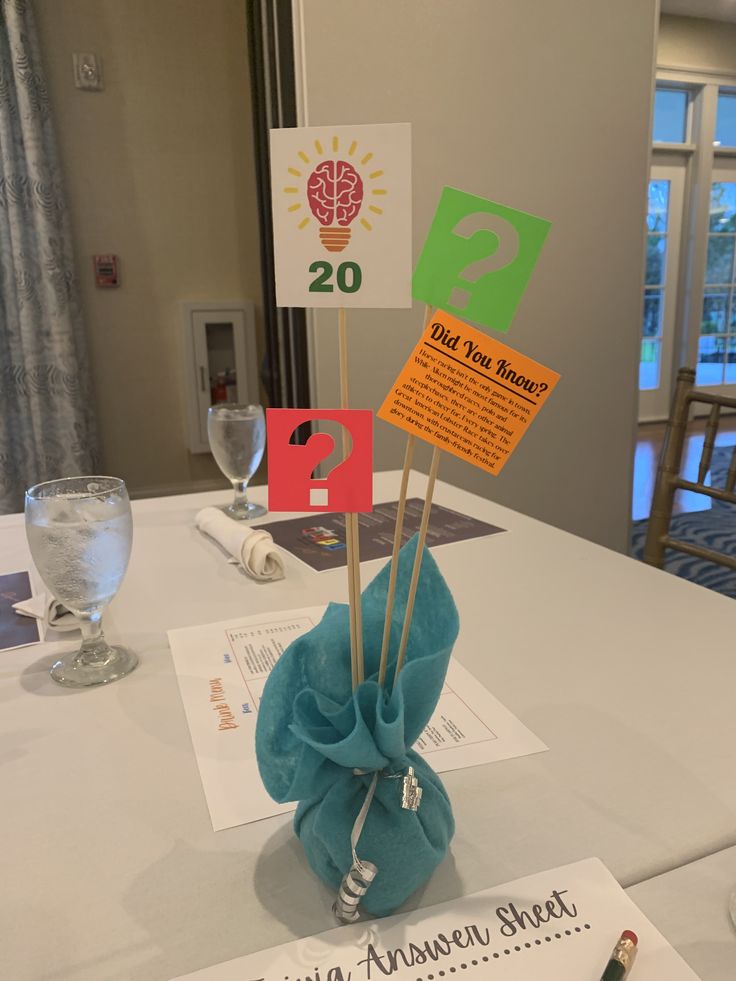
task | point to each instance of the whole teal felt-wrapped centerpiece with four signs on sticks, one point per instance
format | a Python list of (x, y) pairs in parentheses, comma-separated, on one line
[(345, 703)]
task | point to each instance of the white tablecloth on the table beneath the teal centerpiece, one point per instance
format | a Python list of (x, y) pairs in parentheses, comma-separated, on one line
[(112, 869)]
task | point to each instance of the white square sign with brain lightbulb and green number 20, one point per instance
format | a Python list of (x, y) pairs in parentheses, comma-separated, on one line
[(341, 199)]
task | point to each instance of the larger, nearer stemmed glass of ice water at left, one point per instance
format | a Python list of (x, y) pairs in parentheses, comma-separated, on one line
[(80, 533)]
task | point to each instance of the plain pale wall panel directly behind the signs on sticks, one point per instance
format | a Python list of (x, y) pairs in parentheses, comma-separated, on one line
[(544, 107)]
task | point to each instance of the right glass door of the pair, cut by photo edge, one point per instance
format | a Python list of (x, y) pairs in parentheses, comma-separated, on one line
[(716, 343)]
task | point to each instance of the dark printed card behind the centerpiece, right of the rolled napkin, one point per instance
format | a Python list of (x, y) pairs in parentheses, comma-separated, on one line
[(319, 540)]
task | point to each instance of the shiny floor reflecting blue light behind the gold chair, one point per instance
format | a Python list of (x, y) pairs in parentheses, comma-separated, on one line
[(648, 448)]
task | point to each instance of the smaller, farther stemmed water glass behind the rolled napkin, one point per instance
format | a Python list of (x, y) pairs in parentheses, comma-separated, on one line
[(237, 435)]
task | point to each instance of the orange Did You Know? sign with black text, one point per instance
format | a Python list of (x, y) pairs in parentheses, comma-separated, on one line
[(467, 393)]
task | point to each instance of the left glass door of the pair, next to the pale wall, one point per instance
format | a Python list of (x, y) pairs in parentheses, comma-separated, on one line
[(663, 232)]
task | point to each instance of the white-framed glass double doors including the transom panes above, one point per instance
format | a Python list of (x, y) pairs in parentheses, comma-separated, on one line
[(689, 301)]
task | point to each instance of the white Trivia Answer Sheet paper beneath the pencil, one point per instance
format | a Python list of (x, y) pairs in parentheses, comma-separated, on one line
[(559, 925)]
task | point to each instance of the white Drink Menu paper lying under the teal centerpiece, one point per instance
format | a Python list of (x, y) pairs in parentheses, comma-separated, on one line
[(222, 669)]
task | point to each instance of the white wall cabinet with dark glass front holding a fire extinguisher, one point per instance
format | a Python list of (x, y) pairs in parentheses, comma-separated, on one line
[(220, 362)]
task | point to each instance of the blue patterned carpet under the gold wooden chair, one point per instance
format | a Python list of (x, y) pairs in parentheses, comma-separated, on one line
[(714, 528)]
